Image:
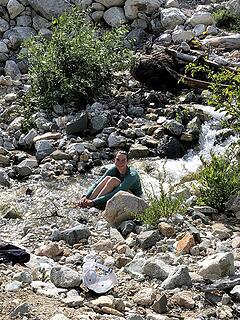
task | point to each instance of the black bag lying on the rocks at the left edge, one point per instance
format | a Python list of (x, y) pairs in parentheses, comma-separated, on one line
[(13, 254)]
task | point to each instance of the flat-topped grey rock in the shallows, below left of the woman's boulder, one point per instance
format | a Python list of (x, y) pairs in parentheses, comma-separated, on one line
[(72, 235)]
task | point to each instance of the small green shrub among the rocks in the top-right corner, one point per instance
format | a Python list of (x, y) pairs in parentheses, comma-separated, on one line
[(227, 20)]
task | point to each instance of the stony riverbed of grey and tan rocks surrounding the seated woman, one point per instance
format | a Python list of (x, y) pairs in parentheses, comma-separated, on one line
[(185, 268)]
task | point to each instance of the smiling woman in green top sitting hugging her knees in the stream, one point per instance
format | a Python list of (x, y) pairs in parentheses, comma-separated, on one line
[(120, 177)]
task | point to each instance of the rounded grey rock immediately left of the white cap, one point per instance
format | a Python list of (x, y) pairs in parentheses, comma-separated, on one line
[(65, 277)]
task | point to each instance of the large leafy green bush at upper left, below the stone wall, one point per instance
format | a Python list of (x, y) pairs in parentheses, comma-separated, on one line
[(77, 63)]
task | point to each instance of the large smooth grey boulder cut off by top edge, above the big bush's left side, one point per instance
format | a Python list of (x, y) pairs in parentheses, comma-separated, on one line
[(50, 8)]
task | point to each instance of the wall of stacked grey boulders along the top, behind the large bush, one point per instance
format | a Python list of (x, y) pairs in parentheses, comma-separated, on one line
[(19, 19)]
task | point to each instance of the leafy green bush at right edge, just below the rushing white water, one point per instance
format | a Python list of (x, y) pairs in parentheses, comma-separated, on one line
[(219, 179)]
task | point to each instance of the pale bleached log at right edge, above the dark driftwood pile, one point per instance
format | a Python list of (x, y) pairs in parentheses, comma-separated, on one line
[(227, 42)]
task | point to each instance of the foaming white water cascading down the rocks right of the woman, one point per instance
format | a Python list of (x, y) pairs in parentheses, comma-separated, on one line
[(177, 169)]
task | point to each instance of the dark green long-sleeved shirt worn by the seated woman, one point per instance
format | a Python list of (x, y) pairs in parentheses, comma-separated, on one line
[(129, 181)]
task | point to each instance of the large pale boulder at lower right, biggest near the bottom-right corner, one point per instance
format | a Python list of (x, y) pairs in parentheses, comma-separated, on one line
[(217, 266)]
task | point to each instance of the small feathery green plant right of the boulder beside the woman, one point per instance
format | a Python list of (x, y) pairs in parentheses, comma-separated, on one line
[(163, 205)]
